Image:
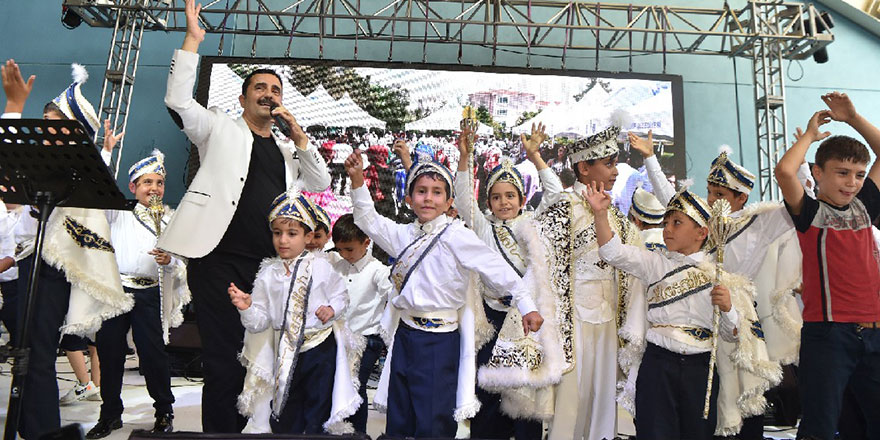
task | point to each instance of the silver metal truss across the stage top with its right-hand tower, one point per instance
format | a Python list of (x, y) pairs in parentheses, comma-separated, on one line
[(766, 32)]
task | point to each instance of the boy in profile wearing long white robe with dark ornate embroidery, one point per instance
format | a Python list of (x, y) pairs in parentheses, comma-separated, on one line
[(589, 295)]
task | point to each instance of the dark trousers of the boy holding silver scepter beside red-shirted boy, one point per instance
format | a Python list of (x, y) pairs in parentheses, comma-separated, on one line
[(670, 394)]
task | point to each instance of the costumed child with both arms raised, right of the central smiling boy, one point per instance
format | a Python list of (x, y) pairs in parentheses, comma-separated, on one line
[(520, 368)]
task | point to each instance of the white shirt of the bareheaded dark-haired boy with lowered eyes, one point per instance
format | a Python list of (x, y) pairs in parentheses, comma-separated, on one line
[(368, 290)]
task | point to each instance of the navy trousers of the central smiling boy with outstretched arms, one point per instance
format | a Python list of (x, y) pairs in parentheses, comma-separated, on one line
[(423, 383)]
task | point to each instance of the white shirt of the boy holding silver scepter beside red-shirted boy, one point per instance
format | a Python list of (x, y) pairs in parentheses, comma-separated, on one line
[(695, 310)]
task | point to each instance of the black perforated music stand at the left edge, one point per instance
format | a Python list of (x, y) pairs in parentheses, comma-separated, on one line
[(48, 163)]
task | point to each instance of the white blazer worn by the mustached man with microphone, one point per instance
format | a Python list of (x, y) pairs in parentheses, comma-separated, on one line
[(224, 146)]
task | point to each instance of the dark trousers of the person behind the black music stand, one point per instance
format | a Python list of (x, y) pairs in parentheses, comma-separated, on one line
[(39, 409)]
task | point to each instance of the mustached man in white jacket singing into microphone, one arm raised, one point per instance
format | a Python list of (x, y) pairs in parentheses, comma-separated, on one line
[(220, 224)]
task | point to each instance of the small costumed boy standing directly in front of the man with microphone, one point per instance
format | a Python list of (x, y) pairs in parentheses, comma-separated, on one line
[(270, 356)]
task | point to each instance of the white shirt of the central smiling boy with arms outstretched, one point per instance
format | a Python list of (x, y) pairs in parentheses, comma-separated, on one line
[(440, 281)]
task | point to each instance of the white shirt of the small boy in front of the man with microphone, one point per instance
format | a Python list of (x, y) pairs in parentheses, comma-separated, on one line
[(270, 294)]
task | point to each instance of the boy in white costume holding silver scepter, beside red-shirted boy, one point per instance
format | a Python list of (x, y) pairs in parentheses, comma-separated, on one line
[(669, 329)]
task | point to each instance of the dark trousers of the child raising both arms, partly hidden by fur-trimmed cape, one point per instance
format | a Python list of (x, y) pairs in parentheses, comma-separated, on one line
[(490, 422)]
